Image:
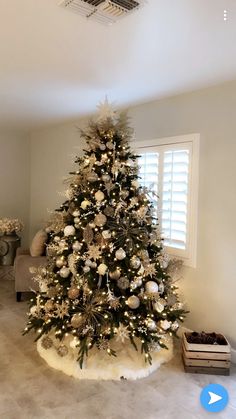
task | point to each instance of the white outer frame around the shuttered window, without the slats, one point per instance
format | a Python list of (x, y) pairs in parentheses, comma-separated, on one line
[(192, 141)]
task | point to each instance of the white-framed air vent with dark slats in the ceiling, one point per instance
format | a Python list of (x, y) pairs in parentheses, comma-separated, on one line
[(104, 11)]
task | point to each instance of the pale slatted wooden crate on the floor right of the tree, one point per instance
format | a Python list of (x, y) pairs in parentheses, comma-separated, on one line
[(206, 359)]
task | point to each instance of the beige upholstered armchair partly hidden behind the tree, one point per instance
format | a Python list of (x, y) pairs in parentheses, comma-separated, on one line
[(23, 277)]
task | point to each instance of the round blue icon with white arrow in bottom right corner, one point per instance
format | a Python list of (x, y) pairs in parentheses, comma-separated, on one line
[(214, 398)]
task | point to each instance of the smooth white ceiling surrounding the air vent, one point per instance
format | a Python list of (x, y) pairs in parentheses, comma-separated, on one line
[(56, 66)]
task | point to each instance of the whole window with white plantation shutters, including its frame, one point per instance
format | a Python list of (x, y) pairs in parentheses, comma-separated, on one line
[(169, 168)]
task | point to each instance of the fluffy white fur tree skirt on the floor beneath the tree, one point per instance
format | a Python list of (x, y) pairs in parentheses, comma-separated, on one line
[(128, 364)]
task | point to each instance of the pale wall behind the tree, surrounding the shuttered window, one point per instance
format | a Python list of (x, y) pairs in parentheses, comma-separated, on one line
[(210, 289)]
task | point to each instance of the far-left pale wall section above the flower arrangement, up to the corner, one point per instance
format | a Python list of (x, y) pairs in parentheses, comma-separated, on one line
[(14, 176)]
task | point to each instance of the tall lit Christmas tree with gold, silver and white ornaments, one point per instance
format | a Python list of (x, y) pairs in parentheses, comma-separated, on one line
[(107, 278)]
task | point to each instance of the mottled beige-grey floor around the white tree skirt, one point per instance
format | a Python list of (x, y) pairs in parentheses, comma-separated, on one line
[(30, 389)]
